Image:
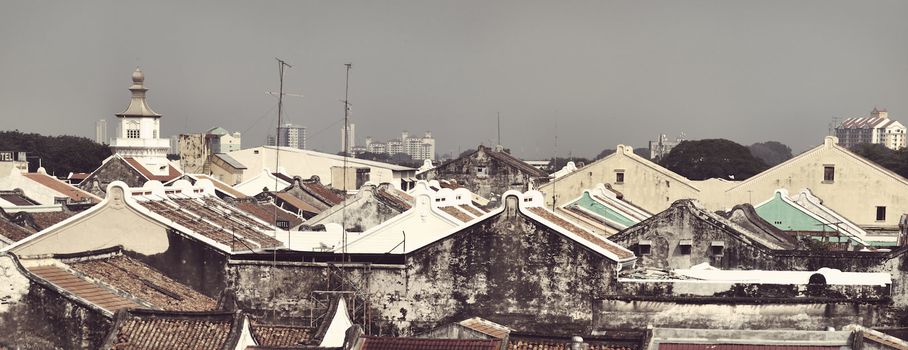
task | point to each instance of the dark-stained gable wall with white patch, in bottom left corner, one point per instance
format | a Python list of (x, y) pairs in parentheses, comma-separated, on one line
[(34, 316)]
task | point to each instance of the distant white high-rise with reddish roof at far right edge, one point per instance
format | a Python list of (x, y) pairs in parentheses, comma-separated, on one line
[(875, 129)]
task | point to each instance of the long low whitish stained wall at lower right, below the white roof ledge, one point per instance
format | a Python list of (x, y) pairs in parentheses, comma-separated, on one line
[(718, 314)]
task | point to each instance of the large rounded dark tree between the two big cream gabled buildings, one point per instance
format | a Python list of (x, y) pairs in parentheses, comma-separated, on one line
[(712, 158)]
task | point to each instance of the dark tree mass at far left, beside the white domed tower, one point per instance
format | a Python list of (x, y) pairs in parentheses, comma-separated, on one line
[(59, 155)]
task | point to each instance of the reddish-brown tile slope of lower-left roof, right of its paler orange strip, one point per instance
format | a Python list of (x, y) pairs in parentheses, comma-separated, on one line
[(144, 283)]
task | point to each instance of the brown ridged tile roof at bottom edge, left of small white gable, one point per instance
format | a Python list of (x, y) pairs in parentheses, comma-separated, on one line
[(147, 329)]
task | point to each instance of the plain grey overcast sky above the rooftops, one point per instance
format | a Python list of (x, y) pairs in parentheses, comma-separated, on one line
[(609, 72)]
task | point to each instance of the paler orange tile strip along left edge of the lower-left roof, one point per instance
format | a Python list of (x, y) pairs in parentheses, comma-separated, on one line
[(81, 288)]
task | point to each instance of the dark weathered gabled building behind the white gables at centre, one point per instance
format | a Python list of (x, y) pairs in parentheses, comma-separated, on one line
[(500, 177)]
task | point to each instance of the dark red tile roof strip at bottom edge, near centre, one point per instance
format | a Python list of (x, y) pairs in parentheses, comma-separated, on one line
[(389, 343)]
